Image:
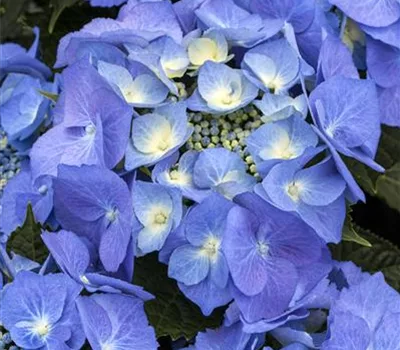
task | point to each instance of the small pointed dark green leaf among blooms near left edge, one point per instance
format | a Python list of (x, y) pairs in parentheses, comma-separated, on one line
[(26, 240)]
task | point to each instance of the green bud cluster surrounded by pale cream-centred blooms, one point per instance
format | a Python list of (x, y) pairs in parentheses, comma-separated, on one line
[(229, 131)]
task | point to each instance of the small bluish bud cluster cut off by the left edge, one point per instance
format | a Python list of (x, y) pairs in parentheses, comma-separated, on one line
[(10, 162)]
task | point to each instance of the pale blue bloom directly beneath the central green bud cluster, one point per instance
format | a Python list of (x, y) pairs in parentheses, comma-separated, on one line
[(222, 171)]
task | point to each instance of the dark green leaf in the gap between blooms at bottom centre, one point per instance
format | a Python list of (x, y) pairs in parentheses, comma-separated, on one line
[(171, 313)]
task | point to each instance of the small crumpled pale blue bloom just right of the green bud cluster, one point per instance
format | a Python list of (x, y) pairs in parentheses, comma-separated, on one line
[(278, 107)]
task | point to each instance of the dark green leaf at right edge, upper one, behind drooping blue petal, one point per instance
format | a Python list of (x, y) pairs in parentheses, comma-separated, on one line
[(384, 186)]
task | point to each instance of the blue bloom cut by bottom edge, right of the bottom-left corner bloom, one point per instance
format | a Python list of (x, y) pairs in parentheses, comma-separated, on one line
[(113, 321)]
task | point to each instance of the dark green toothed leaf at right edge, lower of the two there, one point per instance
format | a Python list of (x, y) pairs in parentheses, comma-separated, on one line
[(382, 256)]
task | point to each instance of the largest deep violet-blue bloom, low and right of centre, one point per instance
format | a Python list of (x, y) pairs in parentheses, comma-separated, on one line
[(263, 249)]
